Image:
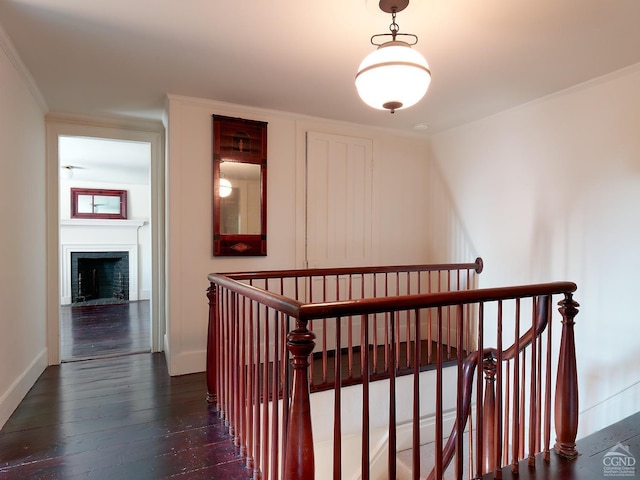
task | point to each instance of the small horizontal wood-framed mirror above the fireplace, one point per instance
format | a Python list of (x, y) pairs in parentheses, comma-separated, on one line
[(116, 208)]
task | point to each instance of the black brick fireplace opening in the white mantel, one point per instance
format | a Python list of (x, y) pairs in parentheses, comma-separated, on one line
[(99, 275)]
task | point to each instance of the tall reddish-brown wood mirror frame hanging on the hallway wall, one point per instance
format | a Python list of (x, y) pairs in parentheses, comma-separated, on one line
[(239, 141)]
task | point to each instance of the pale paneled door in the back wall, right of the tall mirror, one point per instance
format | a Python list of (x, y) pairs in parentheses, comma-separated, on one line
[(338, 202)]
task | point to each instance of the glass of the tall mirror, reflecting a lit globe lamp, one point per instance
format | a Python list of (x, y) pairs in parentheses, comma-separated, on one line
[(240, 197)]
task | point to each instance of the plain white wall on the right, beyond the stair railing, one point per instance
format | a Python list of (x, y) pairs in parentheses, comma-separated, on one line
[(550, 191)]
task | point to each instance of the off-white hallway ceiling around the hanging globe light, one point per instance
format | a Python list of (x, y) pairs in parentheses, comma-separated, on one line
[(120, 57)]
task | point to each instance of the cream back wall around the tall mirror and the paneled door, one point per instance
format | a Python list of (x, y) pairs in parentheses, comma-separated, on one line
[(400, 165)]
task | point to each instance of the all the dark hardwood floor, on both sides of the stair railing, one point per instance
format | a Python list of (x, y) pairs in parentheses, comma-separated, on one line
[(123, 417)]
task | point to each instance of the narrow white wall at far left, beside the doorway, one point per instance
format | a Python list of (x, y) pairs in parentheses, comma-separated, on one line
[(23, 353)]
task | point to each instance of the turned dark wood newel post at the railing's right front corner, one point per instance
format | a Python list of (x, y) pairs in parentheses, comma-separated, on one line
[(566, 408)]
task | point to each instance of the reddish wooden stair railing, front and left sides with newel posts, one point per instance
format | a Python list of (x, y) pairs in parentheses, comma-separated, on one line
[(248, 367)]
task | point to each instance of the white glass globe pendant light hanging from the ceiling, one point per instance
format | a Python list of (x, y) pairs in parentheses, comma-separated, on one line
[(394, 76)]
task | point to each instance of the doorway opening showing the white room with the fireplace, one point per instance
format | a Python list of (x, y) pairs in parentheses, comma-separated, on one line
[(105, 266)]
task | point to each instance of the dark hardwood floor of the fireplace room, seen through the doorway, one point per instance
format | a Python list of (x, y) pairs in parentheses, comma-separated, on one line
[(101, 330)]
